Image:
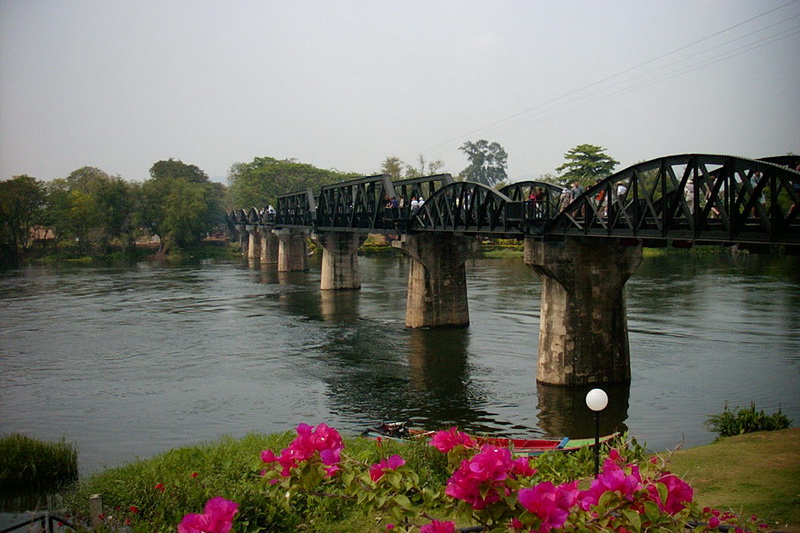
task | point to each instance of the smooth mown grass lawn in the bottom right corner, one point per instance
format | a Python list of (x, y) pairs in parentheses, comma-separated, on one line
[(756, 473)]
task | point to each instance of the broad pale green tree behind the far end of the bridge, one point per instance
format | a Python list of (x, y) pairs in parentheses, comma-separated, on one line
[(260, 182)]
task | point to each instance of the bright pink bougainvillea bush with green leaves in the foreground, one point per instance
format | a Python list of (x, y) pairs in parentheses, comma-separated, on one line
[(489, 489)]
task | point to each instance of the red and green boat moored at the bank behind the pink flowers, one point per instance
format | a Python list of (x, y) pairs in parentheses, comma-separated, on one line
[(400, 431)]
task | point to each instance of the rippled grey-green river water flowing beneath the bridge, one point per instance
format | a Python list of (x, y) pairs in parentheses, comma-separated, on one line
[(128, 362)]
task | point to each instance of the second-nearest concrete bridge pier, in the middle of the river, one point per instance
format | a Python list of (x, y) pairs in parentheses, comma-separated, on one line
[(437, 280)]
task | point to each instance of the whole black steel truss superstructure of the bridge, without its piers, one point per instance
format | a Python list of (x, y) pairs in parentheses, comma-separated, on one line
[(678, 200)]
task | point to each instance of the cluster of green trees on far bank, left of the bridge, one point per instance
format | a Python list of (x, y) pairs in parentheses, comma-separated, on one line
[(91, 211)]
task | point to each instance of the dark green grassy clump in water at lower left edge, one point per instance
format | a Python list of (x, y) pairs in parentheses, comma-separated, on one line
[(29, 463)]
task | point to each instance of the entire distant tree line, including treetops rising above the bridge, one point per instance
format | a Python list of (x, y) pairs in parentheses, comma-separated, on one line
[(92, 212)]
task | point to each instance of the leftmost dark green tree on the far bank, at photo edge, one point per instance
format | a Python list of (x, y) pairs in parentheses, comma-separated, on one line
[(22, 201)]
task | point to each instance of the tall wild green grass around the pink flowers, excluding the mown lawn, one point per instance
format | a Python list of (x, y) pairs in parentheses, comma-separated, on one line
[(153, 495)]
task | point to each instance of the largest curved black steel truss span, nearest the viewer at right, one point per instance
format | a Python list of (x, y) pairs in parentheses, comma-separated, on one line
[(694, 198)]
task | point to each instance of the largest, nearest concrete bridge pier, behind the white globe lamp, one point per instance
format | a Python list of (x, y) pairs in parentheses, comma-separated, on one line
[(583, 329)]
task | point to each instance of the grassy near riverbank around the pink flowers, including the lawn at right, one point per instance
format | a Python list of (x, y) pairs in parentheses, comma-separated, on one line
[(755, 474)]
